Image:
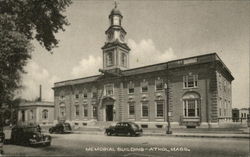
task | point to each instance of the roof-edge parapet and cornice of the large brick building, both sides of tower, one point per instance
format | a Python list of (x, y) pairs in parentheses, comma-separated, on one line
[(212, 57)]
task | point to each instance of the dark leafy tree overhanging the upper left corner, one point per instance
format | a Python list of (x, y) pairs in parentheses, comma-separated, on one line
[(20, 22)]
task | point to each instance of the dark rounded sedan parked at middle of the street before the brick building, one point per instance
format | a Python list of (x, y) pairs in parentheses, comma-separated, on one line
[(124, 128)]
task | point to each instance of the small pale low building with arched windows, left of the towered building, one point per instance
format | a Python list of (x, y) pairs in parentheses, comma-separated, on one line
[(36, 112)]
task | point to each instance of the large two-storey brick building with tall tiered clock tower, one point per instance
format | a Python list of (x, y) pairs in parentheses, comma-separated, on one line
[(199, 89)]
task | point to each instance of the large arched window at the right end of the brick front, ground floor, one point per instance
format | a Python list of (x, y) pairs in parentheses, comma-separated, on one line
[(191, 104)]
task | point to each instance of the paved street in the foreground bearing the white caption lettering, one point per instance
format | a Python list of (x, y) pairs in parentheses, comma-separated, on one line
[(101, 145)]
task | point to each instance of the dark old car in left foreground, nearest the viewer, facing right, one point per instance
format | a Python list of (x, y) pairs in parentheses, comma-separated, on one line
[(29, 135)]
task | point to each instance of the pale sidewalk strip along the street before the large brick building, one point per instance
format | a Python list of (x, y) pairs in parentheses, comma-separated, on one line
[(180, 133)]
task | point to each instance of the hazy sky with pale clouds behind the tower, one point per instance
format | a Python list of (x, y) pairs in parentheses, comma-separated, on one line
[(157, 31)]
